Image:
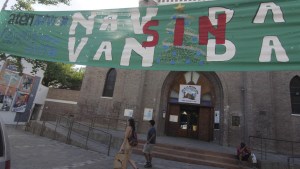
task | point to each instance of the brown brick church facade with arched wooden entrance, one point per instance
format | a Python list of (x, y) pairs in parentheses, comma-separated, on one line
[(221, 107)]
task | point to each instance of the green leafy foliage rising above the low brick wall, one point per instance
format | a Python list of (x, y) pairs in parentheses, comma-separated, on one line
[(63, 76)]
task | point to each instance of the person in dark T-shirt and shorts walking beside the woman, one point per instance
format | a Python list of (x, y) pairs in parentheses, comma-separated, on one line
[(148, 147)]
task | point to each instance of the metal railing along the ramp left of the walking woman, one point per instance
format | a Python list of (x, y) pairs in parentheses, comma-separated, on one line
[(78, 132)]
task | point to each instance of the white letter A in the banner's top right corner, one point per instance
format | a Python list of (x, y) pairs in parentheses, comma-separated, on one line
[(263, 11)]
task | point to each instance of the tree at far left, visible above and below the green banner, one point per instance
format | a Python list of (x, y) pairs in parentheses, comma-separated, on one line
[(26, 5)]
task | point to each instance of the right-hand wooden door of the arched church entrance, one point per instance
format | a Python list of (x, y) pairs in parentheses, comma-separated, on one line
[(206, 118)]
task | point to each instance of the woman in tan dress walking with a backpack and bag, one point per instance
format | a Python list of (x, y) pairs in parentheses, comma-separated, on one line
[(125, 147)]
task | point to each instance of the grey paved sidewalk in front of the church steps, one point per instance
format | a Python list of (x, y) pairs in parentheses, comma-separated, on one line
[(29, 151)]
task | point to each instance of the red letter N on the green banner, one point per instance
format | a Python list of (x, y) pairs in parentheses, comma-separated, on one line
[(205, 27)]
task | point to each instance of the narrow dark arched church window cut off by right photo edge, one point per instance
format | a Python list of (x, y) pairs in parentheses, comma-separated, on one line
[(295, 94)]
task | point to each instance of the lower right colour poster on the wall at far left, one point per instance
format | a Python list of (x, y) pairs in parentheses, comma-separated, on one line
[(20, 102)]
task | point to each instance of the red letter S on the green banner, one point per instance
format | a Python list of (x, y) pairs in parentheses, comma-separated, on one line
[(155, 34)]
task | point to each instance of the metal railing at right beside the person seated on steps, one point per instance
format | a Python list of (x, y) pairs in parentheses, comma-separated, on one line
[(269, 145)]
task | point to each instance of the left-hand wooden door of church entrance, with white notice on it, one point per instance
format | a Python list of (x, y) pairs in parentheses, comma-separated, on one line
[(172, 126)]
